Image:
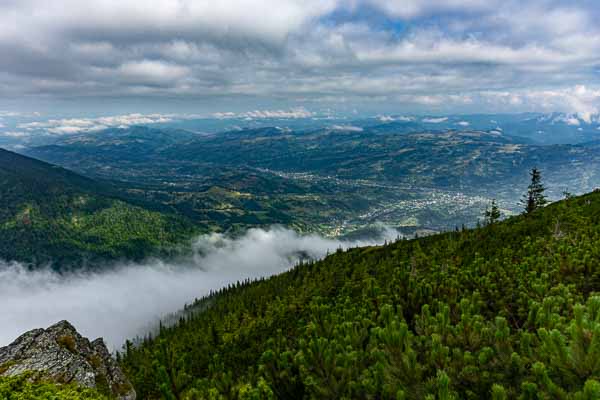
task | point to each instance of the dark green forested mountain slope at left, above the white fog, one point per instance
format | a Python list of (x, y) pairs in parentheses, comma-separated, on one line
[(51, 215)]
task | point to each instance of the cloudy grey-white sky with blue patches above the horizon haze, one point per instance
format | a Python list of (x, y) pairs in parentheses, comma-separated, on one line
[(72, 57)]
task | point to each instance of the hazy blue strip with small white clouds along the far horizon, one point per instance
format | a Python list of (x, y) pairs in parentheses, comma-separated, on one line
[(541, 128)]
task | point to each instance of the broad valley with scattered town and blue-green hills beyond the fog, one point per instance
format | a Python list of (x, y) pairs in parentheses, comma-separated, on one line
[(335, 180)]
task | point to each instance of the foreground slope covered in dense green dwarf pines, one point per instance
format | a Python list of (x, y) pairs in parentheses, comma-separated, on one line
[(511, 310)]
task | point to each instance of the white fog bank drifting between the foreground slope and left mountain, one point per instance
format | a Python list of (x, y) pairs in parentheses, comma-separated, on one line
[(129, 299)]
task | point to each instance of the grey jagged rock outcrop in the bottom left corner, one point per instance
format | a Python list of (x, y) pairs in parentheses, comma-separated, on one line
[(62, 355)]
